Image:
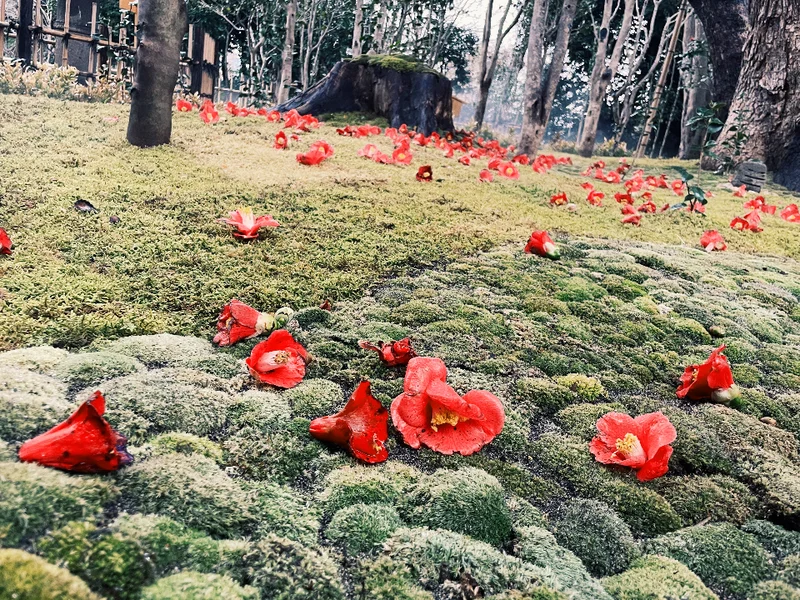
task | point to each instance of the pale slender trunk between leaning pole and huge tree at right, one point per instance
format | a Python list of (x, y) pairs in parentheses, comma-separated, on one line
[(696, 92)]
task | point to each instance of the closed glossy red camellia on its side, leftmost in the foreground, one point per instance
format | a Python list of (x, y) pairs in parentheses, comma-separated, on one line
[(84, 443)]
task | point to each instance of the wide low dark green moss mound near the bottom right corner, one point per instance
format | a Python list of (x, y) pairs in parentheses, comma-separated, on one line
[(728, 560)]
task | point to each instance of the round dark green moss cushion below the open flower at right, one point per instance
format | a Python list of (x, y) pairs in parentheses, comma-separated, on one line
[(597, 535)]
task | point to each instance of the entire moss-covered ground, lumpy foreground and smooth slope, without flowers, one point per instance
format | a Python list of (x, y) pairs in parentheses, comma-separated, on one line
[(229, 497)]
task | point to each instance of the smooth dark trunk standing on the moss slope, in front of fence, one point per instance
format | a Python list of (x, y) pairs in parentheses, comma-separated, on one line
[(162, 25)]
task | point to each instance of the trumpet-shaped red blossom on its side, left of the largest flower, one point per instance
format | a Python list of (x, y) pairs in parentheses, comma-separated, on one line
[(362, 426)]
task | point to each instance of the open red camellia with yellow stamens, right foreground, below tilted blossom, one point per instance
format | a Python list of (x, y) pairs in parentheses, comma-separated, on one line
[(642, 444)]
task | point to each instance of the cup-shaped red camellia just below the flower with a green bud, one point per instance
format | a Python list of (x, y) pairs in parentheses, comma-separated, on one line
[(279, 360)]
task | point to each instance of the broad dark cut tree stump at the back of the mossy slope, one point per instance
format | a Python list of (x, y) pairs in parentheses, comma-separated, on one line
[(419, 99)]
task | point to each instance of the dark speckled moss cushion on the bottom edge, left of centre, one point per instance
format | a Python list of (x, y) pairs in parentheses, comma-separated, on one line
[(285, 570)]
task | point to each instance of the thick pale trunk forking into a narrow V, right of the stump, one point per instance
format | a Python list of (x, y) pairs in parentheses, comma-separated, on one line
[(540, 88)]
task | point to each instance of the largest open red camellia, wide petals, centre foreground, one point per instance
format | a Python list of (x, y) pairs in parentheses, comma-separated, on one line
[(429, 412)]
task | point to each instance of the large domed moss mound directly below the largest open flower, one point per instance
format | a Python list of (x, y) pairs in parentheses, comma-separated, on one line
[(468, 501)]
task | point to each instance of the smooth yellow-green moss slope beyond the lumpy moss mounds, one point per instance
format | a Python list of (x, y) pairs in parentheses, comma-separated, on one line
[(168, 266)]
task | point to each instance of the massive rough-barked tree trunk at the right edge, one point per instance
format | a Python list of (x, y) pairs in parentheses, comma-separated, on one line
[(767, 100)]
